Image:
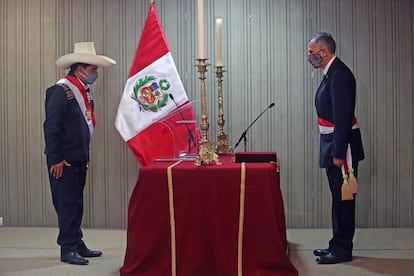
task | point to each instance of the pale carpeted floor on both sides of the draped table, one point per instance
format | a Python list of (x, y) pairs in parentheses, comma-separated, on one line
[(32, 251)]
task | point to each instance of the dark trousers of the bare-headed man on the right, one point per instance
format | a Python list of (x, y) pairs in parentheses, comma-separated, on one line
[(343, 213)]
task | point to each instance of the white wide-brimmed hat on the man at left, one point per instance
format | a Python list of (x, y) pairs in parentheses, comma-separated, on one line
[(84, 52)]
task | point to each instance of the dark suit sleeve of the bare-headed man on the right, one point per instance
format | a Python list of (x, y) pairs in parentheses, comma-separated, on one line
[(343, 105)]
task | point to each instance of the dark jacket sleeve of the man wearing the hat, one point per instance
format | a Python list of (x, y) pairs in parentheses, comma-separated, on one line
[(55, 109)]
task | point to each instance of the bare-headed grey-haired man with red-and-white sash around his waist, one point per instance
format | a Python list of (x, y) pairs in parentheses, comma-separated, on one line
[(340, 143)]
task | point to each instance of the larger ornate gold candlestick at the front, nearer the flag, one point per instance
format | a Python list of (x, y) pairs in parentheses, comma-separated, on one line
[(206, 153)]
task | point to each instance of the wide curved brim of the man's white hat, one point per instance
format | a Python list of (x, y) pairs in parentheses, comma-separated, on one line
[(66, 61)]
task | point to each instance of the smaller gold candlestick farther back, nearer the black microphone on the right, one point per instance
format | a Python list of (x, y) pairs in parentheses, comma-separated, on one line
[(222, 145)]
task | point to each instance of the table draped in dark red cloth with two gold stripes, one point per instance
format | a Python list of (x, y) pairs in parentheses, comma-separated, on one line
[(210, 220)]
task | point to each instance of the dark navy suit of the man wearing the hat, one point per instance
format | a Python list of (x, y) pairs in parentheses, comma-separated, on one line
[(67, 138)]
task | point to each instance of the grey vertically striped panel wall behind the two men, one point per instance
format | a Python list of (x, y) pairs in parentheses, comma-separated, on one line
[(264, 55)]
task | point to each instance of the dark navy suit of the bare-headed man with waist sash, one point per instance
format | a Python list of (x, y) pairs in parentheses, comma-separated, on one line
[(335, 102)]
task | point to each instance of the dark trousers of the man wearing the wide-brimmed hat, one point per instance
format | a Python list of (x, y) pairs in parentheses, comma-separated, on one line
[(67, 195)]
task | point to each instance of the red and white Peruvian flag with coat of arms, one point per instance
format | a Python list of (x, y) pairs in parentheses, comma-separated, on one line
[(145, 117)]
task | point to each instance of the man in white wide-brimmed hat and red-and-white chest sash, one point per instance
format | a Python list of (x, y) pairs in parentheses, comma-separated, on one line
[(68, 128)]
